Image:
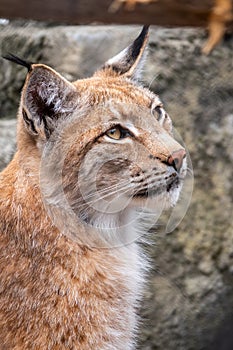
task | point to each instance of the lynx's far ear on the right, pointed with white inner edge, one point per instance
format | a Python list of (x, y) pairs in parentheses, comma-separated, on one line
[(128, 62)]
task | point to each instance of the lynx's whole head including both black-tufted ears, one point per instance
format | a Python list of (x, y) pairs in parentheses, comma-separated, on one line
[(103, 146)]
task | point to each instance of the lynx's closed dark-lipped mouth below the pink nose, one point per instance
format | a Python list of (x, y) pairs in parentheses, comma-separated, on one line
[(152, 191)]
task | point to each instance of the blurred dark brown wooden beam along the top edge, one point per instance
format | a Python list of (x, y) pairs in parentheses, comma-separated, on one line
[(160, 12)]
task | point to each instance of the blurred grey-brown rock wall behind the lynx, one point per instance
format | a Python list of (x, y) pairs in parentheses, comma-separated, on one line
[(188, 302)]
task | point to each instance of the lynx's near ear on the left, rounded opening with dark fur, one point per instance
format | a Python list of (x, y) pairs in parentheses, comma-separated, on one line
[(46, 97)]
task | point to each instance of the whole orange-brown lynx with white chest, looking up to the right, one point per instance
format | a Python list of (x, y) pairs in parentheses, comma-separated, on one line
[(95, 157)]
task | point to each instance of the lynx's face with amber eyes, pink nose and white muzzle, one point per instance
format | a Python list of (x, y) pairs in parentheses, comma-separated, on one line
[(127, 164)]
